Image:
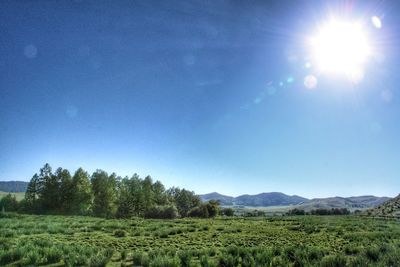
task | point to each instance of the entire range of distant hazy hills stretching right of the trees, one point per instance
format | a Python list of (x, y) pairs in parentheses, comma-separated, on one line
[(280, 199)]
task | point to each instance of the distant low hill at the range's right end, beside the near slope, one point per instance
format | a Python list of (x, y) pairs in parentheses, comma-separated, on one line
[(351, 203)]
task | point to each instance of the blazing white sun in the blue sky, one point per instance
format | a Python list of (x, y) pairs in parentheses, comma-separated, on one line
[(341, 47)]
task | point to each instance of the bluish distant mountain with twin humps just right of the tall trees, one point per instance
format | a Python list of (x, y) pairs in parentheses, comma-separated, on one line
[(260, 200)]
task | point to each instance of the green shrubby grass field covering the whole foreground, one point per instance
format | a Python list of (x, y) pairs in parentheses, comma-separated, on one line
[(274, 241)]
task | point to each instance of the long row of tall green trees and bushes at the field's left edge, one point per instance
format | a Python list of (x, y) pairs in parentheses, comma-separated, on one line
[(106, 195)]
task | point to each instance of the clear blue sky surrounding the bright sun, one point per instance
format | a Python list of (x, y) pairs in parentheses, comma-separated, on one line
[(206, 95)]
